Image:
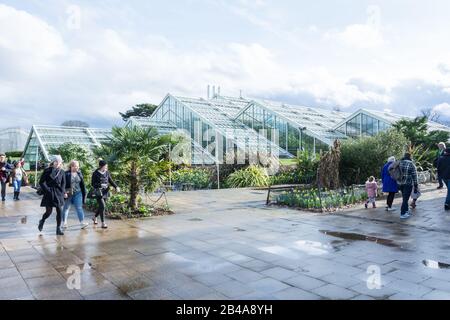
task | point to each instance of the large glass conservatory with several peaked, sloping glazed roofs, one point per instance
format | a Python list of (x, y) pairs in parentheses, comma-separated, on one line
[(221, 128)]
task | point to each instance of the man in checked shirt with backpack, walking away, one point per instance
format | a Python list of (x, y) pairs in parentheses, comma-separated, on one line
[(408, 183)]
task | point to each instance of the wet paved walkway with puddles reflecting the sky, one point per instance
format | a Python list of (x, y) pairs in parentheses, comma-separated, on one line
[(228, 245)]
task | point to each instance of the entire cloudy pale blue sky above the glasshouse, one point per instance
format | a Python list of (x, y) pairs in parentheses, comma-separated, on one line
[(88, 60)]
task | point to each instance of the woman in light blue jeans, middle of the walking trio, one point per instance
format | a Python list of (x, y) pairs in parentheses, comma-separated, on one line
[(75, 193)]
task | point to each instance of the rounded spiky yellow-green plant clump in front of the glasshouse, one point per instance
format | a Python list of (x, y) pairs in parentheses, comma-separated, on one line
[(252, 176)]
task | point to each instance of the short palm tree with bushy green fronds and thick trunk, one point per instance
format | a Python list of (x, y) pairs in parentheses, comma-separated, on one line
[(139, 150)]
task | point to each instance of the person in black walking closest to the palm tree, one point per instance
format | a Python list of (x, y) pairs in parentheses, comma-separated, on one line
[(101, 182)]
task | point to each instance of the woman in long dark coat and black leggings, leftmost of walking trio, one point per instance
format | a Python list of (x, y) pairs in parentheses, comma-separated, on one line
[(53, 185)]
